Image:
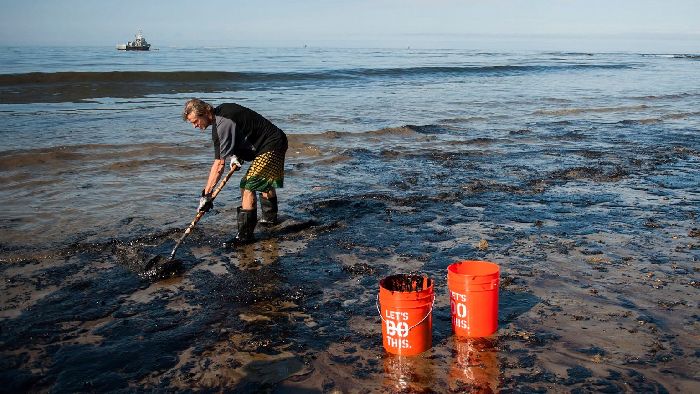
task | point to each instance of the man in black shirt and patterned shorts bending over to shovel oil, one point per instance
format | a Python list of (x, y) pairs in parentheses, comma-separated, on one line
[(241, 134)]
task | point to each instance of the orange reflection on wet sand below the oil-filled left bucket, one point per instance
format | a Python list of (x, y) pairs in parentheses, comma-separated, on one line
[(404, 373)]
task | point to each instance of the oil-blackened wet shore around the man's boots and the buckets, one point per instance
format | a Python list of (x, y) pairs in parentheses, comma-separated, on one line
[(597, 240)]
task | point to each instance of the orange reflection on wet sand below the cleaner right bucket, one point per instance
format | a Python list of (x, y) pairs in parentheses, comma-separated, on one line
[(475, 365)]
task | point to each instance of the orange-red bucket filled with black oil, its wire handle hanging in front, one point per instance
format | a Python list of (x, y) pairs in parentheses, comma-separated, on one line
[(405, 304)]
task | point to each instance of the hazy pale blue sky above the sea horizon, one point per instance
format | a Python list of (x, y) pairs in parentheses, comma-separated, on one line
[(627, 25)]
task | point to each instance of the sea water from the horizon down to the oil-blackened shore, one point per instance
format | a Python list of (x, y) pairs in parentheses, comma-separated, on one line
[(97, 109)]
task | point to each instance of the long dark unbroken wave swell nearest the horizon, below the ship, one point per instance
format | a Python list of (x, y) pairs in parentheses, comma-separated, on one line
[(76, 86)]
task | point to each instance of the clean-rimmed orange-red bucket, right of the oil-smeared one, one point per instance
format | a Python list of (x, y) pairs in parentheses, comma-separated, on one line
[(473, 289)]
